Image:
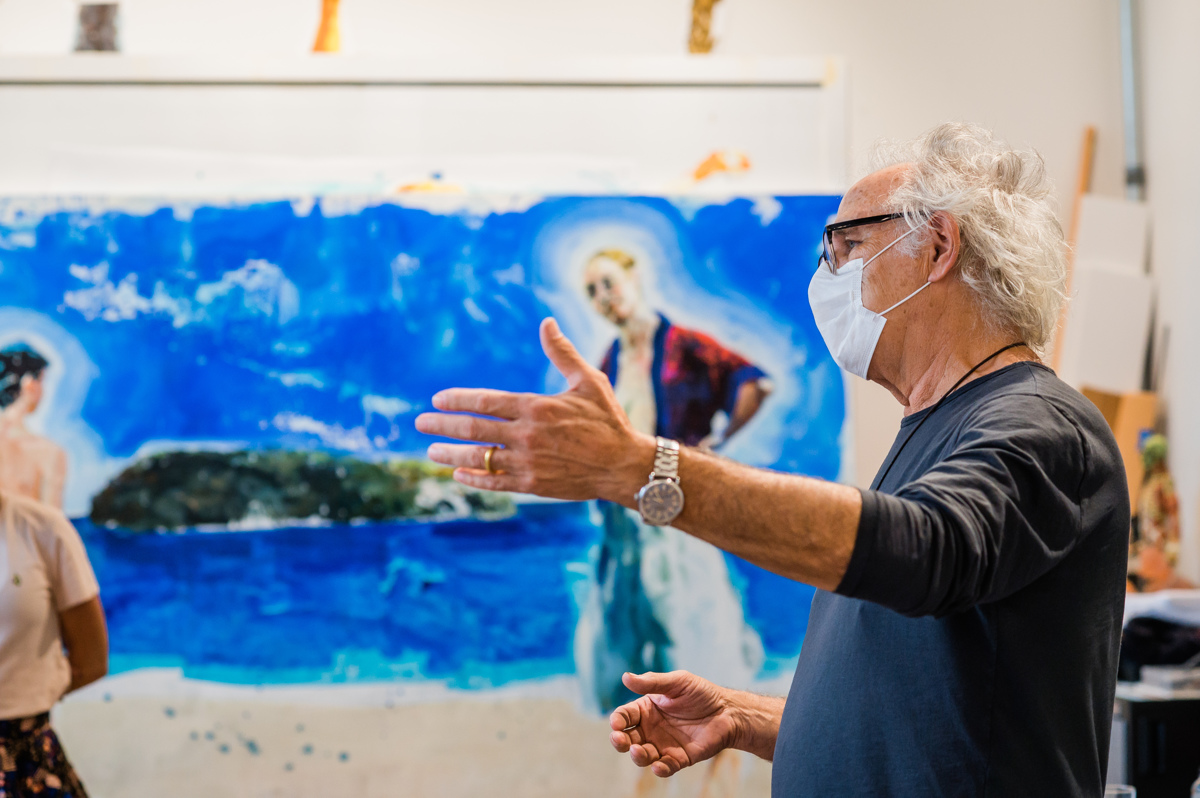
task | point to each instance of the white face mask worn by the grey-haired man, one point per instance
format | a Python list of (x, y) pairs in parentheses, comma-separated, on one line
[(850, 331)]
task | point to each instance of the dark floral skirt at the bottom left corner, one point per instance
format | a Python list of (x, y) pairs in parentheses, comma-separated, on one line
[(33, 763)]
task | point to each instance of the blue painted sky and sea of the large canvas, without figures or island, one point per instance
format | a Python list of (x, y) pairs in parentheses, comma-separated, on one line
[(325, 327)]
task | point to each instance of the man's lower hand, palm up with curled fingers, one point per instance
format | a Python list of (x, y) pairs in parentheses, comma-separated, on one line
[(680, 721)]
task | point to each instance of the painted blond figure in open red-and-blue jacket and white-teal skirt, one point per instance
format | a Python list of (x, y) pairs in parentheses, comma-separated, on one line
[(664, 598)]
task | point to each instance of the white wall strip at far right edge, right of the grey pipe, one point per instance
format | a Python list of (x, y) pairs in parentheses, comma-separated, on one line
[(1172, 115)]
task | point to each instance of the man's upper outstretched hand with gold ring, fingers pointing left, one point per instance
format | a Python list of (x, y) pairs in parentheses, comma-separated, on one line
[(575, 446)]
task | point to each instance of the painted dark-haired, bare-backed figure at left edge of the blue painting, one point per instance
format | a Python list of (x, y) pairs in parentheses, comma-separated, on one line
[(29, 464)]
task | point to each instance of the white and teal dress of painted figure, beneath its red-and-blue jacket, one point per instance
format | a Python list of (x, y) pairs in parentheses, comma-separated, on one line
[(661, 599)]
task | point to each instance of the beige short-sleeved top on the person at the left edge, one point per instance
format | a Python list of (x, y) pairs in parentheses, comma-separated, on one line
[(44, 571)]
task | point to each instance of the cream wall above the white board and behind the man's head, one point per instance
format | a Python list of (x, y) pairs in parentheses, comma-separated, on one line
[(1037, 71)]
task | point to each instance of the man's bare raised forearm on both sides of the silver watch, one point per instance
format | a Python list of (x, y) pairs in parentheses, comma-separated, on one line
[(794, 526)]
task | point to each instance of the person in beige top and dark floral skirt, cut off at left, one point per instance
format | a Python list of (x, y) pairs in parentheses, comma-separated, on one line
[(50, 602)]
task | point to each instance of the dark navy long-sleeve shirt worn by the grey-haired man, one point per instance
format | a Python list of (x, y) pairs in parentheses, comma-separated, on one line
[(971, 647)]
